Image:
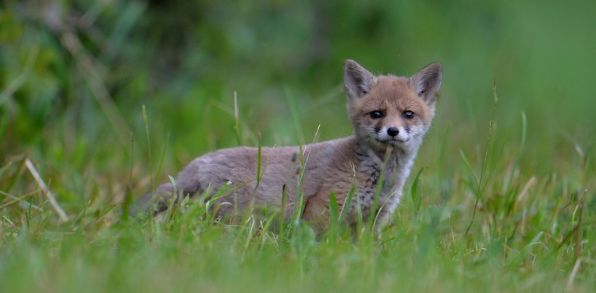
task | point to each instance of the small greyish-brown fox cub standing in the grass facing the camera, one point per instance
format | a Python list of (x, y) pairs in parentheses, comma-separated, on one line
[(390, 116)]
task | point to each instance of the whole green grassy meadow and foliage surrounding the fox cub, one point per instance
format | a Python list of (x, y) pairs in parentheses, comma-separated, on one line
[(100, 101)]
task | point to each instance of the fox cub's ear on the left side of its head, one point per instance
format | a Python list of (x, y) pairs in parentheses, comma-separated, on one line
[(357, 80)]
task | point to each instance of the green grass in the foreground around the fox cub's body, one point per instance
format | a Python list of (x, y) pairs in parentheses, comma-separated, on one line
[(490, 225)]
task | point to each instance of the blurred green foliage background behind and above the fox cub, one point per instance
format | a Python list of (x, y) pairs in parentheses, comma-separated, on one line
[(75, 75)]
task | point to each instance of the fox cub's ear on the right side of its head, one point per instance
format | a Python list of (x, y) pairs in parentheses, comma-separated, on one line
[(427, 82)]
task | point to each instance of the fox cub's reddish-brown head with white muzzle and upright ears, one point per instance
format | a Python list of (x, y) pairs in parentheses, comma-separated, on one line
[(388, 110)]
